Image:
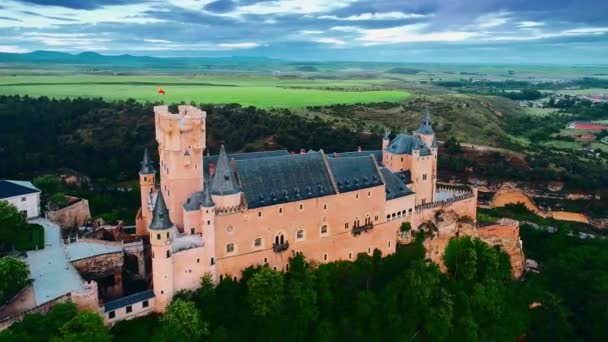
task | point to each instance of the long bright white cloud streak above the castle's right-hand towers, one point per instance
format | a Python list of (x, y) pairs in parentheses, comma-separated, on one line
[(411, 34)]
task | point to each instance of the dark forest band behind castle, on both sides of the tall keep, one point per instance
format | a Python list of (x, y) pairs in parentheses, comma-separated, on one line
[(105, 140)]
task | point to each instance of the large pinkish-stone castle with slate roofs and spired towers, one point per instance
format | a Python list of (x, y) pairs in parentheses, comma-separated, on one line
[(220, 214)]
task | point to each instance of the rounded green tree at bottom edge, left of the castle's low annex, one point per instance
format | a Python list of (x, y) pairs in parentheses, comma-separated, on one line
[(86, 326)]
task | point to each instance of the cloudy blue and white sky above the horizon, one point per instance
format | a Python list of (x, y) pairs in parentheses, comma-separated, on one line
[(509, 31)]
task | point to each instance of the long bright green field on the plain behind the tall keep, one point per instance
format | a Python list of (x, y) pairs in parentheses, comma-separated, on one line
[(259, 91)]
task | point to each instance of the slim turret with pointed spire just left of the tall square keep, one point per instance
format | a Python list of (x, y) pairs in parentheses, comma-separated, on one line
[(147, 182)]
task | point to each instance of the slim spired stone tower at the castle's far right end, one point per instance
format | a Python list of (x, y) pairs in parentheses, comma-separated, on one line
[(425, 170)]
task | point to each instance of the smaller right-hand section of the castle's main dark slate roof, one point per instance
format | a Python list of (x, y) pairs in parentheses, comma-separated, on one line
[(354, 173)]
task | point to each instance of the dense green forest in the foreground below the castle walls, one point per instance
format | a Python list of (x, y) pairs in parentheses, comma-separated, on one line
[(400, 297)]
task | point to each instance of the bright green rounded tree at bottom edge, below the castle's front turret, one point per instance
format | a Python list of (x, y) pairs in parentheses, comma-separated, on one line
[(183, 322)]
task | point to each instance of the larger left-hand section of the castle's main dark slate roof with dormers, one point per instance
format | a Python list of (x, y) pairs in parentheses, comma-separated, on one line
[(283, 179)]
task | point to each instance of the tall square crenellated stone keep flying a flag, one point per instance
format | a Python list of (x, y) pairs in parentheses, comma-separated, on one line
[(181, 142)]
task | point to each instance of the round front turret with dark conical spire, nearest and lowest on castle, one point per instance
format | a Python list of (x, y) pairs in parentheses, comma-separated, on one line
[(162, 232)]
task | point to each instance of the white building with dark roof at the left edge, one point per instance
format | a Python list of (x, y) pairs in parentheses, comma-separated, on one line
[(24, 195)]
